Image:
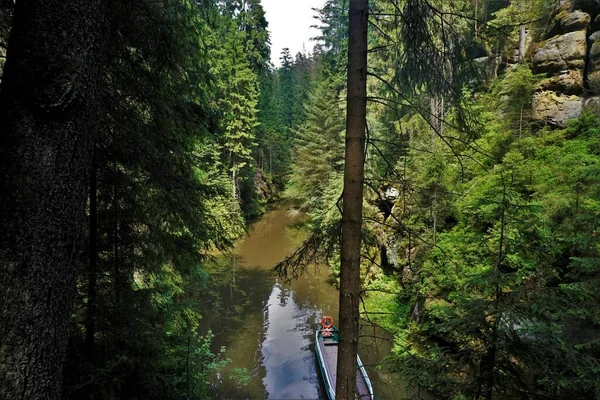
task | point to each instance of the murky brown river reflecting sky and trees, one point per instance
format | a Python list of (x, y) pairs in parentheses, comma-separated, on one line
[(267, 328)]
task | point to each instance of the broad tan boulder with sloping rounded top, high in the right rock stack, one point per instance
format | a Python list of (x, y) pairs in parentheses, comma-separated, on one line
[(564, 52)]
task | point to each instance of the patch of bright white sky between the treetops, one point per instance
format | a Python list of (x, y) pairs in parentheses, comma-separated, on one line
[(289, 25)]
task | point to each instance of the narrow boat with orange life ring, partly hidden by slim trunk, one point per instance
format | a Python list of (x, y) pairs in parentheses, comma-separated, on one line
[(326, 347)]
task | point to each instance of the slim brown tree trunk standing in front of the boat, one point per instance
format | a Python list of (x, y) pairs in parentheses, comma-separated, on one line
[(352, 198)]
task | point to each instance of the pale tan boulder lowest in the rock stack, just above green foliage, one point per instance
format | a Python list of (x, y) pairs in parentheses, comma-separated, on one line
[(555, 109)]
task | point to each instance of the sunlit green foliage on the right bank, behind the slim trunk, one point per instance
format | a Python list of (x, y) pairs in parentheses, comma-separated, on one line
[(490, 246)]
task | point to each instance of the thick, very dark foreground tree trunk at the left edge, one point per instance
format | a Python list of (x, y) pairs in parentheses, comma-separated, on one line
[(48, 104)]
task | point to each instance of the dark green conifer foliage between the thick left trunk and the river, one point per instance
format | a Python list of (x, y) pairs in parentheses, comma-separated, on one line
[(179, 112)]
